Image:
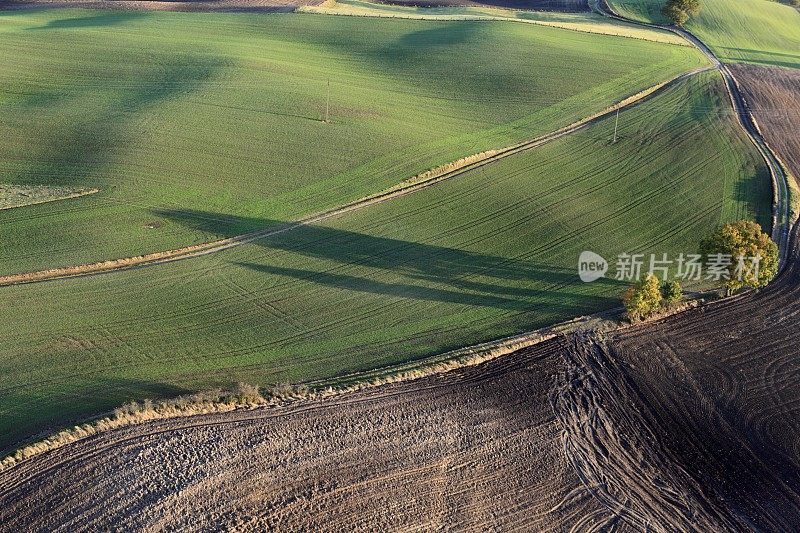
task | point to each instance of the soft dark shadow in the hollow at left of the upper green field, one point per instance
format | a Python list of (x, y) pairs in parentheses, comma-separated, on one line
[(75, 149)]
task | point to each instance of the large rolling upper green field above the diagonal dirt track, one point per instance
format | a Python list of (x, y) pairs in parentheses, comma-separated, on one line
[(221, 113)]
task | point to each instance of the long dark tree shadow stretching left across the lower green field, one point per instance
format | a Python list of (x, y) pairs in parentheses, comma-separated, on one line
[(426, 271)]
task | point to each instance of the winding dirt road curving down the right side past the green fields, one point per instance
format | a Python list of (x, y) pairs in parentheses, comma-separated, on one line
[(784, 216)]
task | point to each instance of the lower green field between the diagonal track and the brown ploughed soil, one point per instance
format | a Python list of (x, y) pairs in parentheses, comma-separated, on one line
[(490, 253)]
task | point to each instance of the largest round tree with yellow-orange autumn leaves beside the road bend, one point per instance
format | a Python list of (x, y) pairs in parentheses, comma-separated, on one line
[(753, 255)]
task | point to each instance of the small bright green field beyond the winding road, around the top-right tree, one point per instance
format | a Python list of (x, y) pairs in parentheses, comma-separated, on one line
[(747, 31)]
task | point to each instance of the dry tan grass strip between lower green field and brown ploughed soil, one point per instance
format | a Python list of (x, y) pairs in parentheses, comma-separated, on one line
[(307, 394)]
